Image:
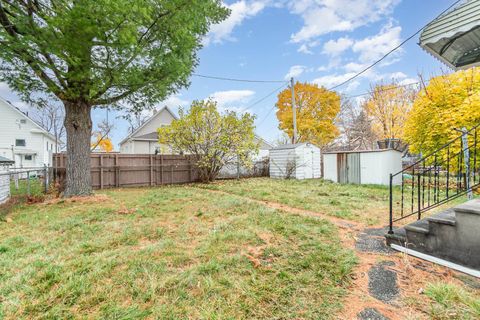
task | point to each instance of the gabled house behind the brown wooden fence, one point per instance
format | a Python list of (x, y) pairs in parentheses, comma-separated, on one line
[(144, 140)]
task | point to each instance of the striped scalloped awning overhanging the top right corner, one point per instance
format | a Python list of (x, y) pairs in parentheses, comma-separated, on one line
[(454, 37)]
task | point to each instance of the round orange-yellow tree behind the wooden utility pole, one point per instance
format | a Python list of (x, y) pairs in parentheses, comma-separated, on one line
[(317, 109)]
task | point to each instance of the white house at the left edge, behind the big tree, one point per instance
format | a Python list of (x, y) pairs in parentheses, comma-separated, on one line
[(22, 139)]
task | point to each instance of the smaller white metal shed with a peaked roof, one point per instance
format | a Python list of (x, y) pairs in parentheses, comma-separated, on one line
[(298, 161)]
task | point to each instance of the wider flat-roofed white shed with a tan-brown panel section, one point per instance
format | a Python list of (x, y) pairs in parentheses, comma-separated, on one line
[(362, 167)]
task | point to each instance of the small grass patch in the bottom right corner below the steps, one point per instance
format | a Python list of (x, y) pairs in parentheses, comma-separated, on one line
[(452, 302)]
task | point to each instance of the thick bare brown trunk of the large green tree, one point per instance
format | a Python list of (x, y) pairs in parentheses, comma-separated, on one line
[(78, 124)]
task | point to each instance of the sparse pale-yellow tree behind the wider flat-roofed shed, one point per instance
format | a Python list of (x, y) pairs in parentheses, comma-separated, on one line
[(387, 108)]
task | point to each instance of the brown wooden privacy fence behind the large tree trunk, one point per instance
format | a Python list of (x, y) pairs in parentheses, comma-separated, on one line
[(134, 170)]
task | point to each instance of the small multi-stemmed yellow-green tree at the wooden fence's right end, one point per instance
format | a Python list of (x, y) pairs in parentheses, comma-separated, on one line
[(214, 139)]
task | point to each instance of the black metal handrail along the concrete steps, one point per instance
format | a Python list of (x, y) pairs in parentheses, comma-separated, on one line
[(441, 176)]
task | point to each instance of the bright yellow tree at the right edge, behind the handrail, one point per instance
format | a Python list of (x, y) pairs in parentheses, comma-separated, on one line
[(447, 102)]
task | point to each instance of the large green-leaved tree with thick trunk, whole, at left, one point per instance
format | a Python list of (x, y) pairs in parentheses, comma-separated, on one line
[(99, 53)]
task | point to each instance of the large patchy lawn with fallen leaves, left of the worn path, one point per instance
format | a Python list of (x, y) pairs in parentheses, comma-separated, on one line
[(169, 253)]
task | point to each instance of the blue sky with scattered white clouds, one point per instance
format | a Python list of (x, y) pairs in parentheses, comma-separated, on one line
[(321, 41)]
